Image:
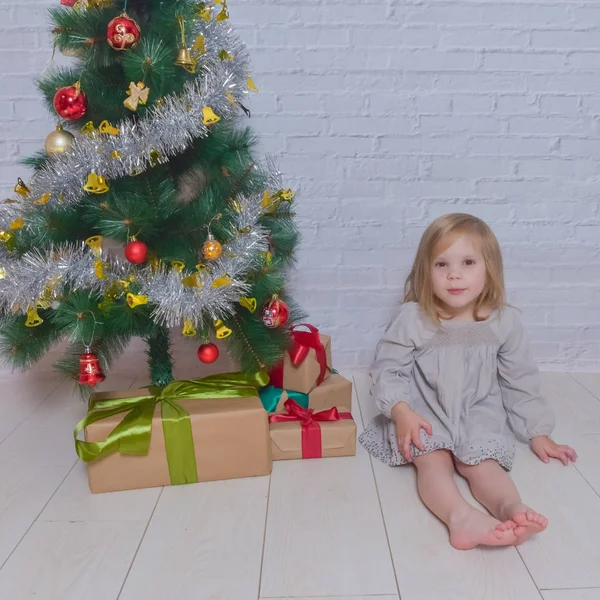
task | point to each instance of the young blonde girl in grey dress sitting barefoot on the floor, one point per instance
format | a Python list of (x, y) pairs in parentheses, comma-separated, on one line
[(455, 383)]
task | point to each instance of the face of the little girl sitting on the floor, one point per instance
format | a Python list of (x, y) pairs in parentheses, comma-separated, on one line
[(459, 276)]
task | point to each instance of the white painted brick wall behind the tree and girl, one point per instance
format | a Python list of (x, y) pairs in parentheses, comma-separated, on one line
[(386, 114)]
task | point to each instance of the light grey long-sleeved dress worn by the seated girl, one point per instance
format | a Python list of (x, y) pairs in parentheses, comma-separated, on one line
[(475, 382)]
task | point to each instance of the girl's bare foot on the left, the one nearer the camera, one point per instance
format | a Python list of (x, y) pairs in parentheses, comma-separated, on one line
[(473, 528)]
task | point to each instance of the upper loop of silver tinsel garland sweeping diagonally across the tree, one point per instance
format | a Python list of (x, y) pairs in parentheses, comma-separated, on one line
[(166, 129)]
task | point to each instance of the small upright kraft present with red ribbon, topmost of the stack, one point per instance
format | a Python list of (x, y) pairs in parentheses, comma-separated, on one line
[(308, 362)]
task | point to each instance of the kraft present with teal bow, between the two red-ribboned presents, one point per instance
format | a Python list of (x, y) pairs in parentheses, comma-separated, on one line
[(334, 391)]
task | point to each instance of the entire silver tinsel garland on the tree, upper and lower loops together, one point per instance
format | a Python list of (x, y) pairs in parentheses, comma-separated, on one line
[(166, 129)]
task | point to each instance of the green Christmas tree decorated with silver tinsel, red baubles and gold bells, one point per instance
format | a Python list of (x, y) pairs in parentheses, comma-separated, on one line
[(148, 209)]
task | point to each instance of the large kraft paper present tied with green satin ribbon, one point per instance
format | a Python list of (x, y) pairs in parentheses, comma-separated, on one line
[(191, 431)]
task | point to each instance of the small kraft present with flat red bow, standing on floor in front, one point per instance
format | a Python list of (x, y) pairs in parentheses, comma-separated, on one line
[(302, 433)]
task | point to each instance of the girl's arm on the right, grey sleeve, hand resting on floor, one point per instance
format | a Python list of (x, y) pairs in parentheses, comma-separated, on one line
[(530, 415)]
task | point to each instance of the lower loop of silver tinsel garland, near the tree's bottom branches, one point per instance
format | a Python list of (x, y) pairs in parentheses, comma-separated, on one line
[(37, 274)]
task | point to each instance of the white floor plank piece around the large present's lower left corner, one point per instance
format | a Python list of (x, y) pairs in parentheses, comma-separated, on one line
[(74, 502)]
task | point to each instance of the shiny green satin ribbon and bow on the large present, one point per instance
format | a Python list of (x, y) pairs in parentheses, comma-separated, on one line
[(132, 435)]
